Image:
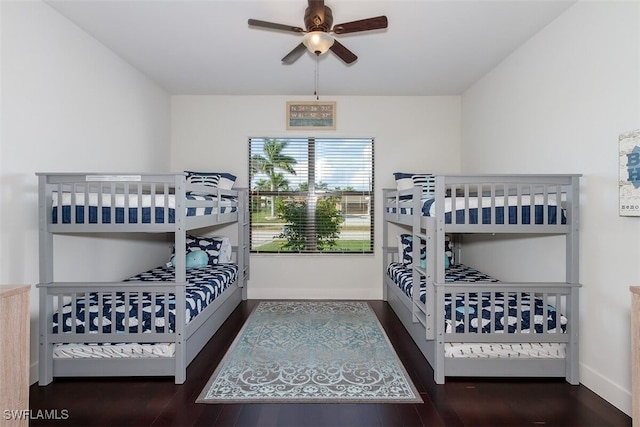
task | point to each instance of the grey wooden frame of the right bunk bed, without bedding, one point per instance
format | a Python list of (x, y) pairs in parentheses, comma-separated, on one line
[(425, 322)]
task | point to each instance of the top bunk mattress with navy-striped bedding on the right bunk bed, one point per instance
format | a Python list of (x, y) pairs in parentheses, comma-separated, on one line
[(480, 210)]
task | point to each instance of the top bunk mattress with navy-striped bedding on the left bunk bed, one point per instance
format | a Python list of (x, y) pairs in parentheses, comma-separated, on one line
[(126, 207)]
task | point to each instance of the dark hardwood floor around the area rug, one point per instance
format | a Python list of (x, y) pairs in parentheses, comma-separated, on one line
[(459, 402)]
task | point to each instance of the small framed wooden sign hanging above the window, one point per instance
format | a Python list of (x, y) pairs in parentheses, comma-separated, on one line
[(311, 115)]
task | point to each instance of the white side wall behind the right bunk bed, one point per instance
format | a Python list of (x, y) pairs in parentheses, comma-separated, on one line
[(557, 105)]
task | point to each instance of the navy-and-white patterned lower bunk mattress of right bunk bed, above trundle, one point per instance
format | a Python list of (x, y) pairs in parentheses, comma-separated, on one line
[(477, 308)]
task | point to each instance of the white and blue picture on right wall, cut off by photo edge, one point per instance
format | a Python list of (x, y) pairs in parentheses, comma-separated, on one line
[(629, 179)]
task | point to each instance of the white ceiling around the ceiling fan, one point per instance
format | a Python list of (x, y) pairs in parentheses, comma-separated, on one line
[(205, 47)]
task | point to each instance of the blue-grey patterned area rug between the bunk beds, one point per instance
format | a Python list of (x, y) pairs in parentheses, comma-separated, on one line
[(311, 351)]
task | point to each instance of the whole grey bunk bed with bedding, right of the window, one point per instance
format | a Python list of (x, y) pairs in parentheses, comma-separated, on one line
[(465, 322)]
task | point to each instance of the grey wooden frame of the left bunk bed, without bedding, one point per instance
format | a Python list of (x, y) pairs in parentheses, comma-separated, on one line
[(189, 338)]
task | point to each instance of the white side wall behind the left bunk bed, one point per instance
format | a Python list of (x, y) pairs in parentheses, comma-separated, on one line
[(69, 104)]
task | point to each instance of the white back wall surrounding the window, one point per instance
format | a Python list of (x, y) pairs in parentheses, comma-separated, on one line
[(211, 133)]
